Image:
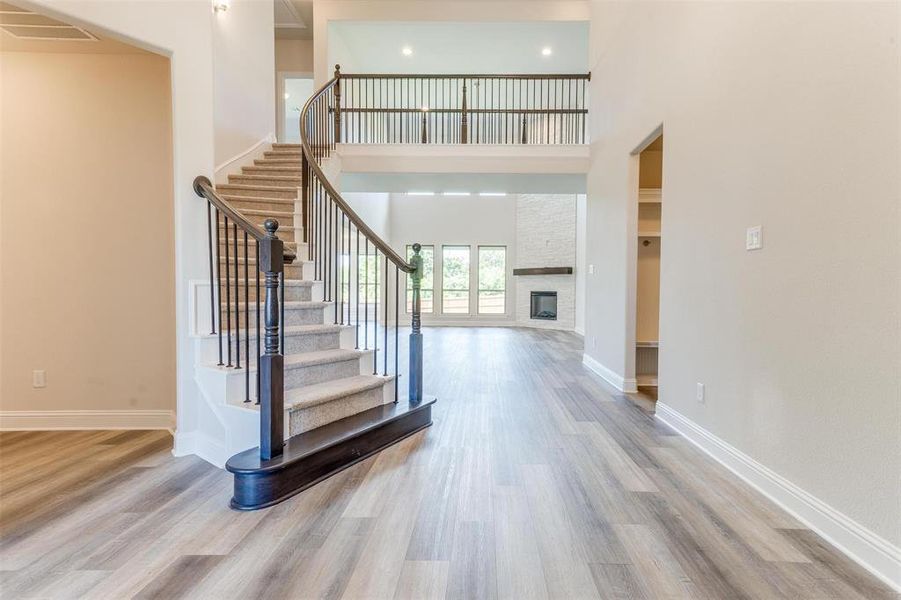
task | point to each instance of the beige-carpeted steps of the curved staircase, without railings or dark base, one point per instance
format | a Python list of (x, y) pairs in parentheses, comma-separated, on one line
[(323, 382)]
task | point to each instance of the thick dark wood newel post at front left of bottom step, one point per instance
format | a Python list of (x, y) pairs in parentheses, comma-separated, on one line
[(272, 363)]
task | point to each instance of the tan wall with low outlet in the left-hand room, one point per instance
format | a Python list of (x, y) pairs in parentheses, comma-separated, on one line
[(86, 218)]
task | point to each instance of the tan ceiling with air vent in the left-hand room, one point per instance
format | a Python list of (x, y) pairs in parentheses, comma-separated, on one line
[(22, 30)]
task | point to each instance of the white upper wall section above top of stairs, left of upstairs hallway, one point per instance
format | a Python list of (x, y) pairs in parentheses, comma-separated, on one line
[(244, 72)]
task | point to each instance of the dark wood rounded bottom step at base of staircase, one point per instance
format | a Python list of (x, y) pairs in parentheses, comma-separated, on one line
[(310, 457)]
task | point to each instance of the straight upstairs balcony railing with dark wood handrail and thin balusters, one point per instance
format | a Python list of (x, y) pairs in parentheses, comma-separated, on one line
[(460, 109)]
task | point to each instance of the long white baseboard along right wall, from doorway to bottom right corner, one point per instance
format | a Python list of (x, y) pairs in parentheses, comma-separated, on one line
[(869, 550)]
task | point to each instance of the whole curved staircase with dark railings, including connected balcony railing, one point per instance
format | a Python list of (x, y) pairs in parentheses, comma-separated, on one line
[(314, 319)]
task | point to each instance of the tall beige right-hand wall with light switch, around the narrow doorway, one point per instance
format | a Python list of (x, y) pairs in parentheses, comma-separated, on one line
[(786, 115)]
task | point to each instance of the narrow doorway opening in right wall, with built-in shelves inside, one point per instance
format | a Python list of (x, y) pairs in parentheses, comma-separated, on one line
[(647, 288)]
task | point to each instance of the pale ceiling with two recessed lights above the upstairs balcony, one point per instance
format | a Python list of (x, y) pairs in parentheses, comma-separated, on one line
[(470, 47)]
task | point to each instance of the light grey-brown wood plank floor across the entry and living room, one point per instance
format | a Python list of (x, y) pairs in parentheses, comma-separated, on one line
[(535, 482)]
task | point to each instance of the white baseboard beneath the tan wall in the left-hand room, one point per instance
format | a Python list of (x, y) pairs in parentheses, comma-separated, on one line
[(39, 420)]
